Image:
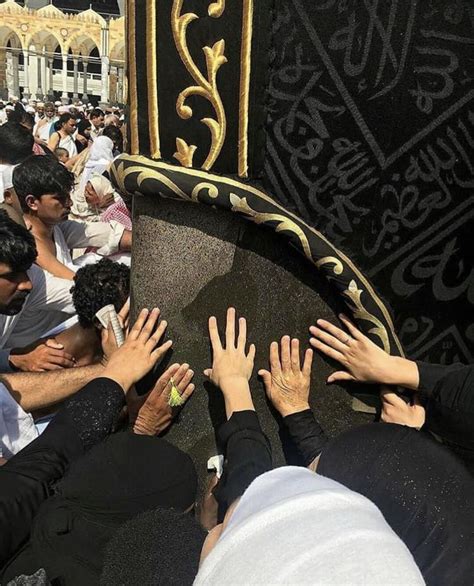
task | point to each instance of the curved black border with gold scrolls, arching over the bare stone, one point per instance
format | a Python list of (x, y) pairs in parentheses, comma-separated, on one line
[(135, 174)]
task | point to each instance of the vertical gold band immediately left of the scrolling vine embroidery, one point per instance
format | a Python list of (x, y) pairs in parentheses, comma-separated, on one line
[(151, 59)]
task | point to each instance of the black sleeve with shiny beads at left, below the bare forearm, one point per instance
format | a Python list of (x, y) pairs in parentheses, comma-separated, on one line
[(26, 480)]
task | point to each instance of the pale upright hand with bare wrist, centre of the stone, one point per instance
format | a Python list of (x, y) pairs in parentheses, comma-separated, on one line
[(231, 366)]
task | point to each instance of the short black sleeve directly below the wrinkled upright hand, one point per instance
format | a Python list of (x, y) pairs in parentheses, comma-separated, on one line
[(306, 433)]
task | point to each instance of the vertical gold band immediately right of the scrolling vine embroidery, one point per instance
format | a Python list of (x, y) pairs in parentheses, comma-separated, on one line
[(245, 64)]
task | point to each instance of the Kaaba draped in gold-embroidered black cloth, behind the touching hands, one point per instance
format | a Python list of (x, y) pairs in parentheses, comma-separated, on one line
[(292, 159)]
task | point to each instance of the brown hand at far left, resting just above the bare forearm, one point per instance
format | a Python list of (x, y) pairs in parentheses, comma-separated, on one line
[(45, 356)]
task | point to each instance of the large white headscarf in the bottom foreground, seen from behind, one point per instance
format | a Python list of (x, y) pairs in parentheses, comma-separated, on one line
[(292, 526)]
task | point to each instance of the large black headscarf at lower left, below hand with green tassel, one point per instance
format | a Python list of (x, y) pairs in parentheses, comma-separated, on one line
[(120, 478)]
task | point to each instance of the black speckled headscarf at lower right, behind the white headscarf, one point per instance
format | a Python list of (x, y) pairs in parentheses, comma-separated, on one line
[(424, 492)]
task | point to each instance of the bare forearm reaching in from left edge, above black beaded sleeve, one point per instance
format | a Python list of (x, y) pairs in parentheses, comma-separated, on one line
[(41, 390)]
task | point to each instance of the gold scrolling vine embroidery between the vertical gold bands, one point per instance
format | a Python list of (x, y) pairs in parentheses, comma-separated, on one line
[(206, 87)]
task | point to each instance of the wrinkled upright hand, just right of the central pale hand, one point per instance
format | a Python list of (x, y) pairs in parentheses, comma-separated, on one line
[(287, 384)]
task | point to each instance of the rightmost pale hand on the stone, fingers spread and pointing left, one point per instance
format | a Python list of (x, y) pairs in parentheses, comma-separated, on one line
[(364, 361)]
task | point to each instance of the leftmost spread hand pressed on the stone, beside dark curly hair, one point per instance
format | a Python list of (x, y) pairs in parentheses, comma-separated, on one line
[(139, 353)]
